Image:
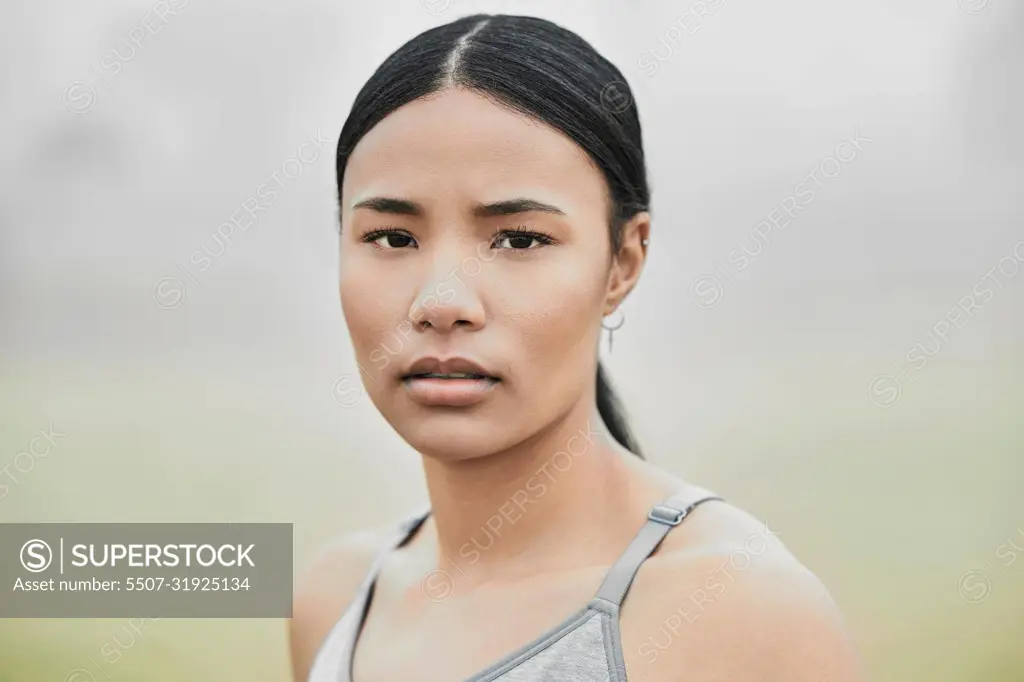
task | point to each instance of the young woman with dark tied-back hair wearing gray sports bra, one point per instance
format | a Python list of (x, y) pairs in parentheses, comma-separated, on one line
[(494, 211)]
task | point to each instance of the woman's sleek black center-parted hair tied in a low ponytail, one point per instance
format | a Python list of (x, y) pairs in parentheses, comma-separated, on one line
[(543, 71)]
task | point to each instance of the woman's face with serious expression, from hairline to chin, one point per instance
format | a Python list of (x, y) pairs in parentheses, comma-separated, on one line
[(475, 273)]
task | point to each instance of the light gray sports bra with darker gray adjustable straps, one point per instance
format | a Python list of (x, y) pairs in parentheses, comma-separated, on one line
[(585, 648)]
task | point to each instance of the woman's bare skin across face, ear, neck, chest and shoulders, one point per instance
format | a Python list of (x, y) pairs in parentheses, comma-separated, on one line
[(721, 600)]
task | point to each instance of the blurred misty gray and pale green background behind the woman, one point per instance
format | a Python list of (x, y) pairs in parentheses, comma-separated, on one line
[(852, 375)]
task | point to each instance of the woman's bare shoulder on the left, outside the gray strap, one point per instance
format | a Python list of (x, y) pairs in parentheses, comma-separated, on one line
[(327, 586)]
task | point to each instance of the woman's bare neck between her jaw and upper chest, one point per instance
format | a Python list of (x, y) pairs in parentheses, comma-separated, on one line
[(535, 508)]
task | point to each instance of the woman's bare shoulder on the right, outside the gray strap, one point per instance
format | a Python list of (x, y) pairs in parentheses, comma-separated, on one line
[(723, 599)]
